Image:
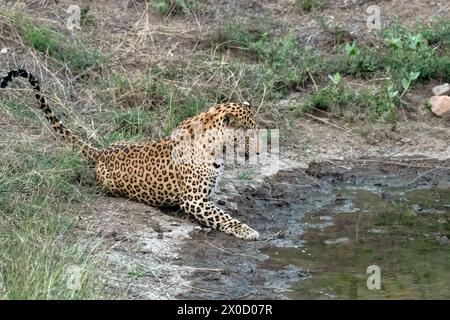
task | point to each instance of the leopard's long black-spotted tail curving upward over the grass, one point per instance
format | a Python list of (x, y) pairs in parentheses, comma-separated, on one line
[(88, 150)]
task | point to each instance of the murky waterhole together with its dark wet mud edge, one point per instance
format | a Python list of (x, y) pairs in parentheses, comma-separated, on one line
[(323, 227)]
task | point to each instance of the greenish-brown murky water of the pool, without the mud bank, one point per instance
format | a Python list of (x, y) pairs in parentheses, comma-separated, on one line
[(402, 232)]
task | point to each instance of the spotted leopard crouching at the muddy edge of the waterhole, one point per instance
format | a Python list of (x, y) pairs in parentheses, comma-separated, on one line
[(180, 170)]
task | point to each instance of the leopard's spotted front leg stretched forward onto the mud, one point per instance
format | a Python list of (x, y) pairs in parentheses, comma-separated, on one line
[(196, 185)]
